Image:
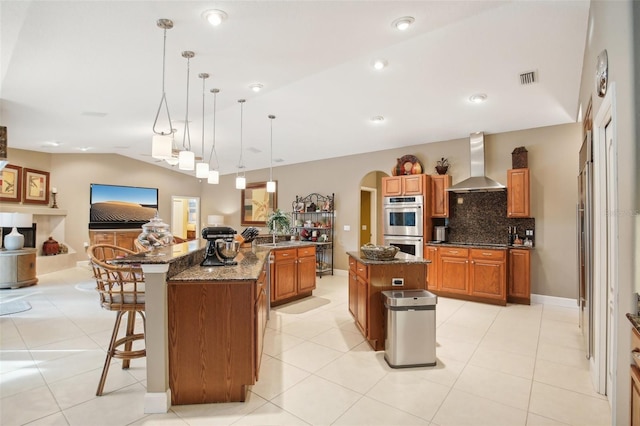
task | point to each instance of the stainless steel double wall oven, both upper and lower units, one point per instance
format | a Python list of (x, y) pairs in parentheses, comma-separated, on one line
[(403, 223)]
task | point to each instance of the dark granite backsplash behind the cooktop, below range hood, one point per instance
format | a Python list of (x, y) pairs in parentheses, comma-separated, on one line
[(481, 217)]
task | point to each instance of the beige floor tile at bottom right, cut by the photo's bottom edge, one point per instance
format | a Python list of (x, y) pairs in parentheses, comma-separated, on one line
[(569, 407)]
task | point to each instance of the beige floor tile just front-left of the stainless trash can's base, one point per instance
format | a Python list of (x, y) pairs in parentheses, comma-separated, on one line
[(353, 372)]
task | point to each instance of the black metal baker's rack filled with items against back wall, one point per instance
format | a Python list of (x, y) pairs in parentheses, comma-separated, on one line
[(313, 219)]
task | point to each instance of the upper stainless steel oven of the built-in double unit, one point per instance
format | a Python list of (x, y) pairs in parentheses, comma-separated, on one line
[(403, 215)]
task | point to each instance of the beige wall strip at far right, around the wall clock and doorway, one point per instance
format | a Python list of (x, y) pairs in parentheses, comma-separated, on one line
[(611, 25)]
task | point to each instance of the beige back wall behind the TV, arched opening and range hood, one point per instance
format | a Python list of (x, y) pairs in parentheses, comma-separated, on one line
[(552, 159)]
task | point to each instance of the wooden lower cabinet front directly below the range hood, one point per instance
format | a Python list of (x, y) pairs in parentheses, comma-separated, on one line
[(487, 276)]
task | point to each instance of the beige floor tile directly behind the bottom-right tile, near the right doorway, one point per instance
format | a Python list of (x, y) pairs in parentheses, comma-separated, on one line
[(565, 377)]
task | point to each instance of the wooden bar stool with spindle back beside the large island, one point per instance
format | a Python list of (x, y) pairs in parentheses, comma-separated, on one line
[(121, 289)]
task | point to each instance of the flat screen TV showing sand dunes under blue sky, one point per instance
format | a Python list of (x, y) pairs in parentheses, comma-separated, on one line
[(116, 206)]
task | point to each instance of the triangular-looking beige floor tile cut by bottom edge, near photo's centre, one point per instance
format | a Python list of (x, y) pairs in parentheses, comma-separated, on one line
[(370, 412)]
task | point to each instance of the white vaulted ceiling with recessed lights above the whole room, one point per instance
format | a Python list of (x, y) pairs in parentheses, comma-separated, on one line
[(86, 76)]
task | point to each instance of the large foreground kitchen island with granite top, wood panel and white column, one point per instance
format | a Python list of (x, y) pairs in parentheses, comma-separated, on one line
[(204, 325)]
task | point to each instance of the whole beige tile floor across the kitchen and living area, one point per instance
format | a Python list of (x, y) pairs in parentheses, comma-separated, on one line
[(514, 365)]
